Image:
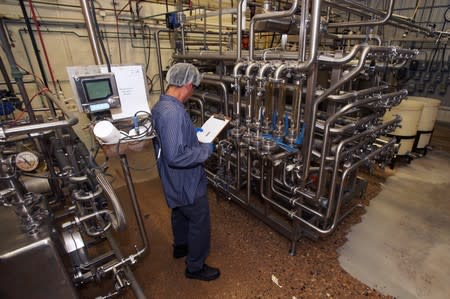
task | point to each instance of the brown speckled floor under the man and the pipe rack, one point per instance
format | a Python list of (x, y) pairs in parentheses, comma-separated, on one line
[(247, 252)]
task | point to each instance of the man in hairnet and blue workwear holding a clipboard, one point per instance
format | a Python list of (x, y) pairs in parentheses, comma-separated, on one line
[(180, 165)]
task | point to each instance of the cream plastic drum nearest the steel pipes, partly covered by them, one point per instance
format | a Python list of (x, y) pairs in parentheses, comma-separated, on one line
[(410, 112)]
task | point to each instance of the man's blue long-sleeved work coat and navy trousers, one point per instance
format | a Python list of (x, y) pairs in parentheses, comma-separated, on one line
[(183, 178)]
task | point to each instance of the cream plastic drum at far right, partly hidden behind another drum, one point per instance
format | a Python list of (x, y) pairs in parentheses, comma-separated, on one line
[(427, 121)]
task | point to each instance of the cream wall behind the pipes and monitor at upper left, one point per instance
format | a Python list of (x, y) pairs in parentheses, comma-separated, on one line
[(67, 44)]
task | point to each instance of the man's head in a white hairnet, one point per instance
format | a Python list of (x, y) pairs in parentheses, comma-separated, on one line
[(182, 79)]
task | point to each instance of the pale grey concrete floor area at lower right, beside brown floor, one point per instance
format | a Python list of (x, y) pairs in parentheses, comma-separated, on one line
[(402, 245)]
